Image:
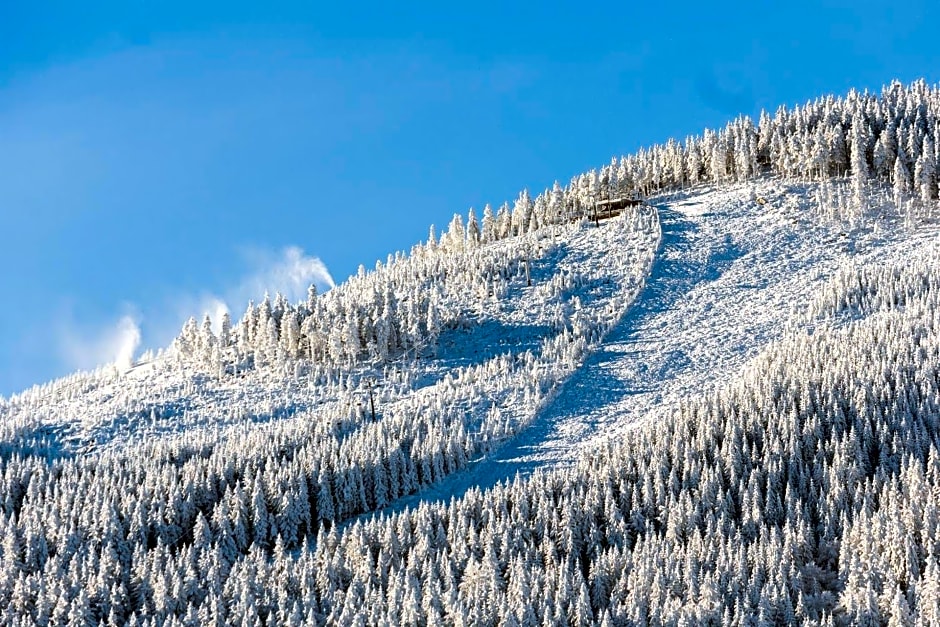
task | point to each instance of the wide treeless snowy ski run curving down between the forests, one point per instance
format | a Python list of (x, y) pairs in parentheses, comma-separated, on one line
[(735, 269)]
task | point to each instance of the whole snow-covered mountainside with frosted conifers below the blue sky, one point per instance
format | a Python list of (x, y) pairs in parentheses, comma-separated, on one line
[(718, 406)]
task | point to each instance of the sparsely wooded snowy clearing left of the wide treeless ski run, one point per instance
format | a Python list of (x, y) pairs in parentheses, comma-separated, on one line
[(574, 272)]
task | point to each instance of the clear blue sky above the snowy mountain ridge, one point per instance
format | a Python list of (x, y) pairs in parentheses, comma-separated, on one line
[(155, 156)]
